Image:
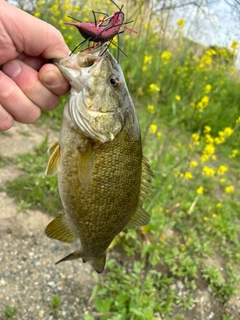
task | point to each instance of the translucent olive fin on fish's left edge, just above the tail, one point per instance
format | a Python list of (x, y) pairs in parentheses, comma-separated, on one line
[(59, 229)]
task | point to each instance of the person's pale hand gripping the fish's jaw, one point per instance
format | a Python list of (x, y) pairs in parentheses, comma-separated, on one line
[(28, 83)]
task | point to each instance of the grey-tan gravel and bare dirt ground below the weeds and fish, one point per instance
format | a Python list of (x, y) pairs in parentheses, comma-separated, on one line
[(29, 279)]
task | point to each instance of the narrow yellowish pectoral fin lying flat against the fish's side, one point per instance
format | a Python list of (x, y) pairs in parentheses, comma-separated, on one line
[(85, 165)]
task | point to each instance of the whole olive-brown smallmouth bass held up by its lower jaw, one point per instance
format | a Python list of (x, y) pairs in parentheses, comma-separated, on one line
[(103, 177)]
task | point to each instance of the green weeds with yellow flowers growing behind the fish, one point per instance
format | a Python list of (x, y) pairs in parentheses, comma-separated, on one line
[(187, 98)]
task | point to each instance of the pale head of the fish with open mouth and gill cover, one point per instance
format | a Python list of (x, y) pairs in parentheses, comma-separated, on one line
[(100, 105)]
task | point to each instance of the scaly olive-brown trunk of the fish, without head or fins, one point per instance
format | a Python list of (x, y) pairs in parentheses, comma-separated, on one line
[(99, 211)]
